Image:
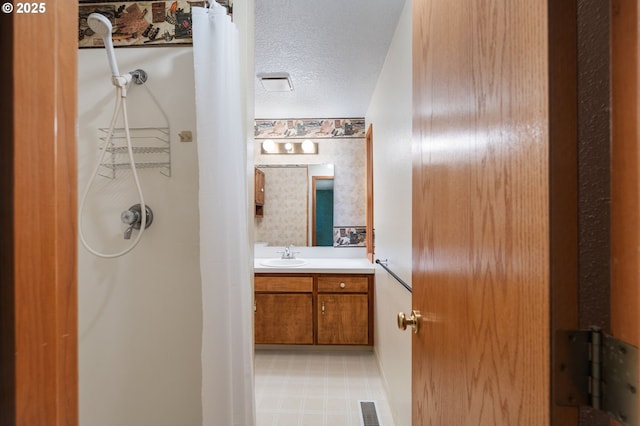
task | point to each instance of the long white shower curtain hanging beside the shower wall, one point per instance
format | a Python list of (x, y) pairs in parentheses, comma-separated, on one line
[(227, 338)]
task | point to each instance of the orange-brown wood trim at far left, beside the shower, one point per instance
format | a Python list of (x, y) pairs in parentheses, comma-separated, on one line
[(44, 252)]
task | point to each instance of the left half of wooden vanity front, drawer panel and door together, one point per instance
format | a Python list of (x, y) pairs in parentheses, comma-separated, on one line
[(283, 309)]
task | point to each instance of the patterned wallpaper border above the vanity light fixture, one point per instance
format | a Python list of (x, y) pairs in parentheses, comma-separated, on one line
[(310, 128)]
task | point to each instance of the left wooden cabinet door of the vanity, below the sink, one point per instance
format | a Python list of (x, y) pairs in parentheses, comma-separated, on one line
[(284, 318)]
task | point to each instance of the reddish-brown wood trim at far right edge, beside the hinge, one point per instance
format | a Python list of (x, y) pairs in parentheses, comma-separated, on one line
[(625, 176)]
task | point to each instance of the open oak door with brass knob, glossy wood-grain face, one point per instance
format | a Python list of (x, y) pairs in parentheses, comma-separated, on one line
[(483, 208)]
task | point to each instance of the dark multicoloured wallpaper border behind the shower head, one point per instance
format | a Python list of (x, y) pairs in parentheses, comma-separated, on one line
[(141, 23)]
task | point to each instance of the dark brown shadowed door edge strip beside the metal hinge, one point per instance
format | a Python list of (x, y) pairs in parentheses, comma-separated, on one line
[(563, 185)]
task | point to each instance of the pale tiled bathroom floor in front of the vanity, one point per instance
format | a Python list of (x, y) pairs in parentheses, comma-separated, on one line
[(307, 388)]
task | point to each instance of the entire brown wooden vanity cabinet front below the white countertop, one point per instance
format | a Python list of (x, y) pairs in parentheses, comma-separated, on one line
[(321, 309)]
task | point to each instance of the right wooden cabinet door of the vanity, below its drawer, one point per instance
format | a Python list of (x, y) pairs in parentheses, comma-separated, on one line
[(343, 319)]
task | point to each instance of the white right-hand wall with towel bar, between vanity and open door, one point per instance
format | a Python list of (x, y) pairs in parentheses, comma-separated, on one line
[(390, 114)]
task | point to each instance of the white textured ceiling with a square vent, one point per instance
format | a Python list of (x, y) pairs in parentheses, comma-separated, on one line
[(333, 50)]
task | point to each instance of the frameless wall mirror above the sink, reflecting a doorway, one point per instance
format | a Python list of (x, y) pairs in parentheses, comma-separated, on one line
[(298, 205)]
